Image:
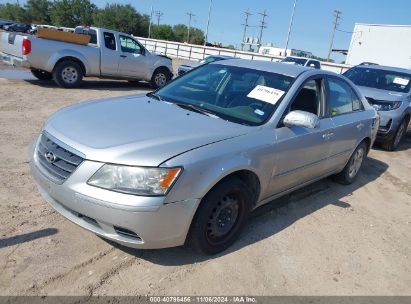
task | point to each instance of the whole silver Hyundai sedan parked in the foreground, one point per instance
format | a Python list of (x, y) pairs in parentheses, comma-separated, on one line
[(189, 162)]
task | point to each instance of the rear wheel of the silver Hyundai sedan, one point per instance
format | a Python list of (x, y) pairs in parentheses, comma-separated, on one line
[(350, 172)]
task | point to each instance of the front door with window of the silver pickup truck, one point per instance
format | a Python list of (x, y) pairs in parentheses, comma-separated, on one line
[(132, 62)]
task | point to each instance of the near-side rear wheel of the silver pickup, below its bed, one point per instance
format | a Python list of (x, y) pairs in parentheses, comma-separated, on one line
[(68, 74)]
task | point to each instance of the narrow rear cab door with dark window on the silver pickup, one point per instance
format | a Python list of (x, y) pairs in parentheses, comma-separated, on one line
[(110, 54)]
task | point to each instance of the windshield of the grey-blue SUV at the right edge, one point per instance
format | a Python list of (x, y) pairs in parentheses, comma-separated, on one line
[(380, 79)]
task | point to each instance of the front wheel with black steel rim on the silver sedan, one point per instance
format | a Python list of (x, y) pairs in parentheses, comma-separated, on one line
[(228, 203)]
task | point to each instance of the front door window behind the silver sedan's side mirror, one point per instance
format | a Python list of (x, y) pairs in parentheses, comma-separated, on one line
[(309, 98)]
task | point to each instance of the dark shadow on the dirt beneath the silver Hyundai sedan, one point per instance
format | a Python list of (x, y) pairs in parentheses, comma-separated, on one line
[(273, 217)]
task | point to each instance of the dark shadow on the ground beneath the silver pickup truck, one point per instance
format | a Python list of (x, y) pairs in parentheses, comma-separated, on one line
[(98, 84)]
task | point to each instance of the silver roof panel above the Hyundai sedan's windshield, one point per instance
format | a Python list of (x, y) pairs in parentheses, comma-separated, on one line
[(268, 66)]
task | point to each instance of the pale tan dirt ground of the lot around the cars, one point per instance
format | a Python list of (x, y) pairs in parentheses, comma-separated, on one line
[(326, 239)]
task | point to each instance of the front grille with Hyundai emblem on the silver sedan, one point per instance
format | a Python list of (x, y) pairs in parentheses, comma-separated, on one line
[(61, 165)]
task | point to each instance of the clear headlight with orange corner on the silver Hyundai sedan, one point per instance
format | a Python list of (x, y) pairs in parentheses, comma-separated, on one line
[(135, 180)]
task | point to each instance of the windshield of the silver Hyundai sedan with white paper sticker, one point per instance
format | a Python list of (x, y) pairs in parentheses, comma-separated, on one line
[(239, 95)]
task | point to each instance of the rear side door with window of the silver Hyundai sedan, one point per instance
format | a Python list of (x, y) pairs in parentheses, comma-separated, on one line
[(346, 110)]
